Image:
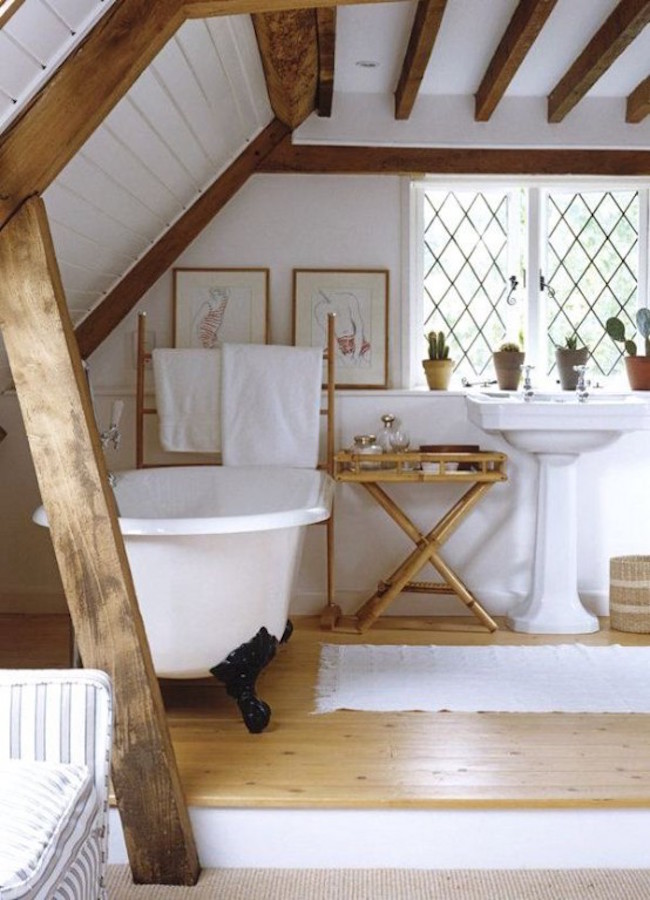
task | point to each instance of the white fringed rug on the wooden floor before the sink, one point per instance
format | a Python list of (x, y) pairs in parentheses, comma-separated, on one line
[(547, 678)]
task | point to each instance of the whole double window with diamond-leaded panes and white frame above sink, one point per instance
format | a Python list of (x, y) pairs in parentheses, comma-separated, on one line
[(536, 263)]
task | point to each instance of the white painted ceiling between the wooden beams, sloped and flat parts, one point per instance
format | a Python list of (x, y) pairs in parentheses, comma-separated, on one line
[(203, 98)]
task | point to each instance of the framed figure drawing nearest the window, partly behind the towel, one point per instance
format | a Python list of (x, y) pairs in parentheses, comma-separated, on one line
[(359, 297)]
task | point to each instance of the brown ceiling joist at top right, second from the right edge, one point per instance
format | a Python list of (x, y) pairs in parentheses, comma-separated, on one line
[(618, 31)]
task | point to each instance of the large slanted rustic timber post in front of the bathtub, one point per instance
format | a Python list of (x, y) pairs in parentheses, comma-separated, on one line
[(72, 476)]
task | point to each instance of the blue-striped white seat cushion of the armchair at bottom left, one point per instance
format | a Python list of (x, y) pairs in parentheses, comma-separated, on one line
[(48, 815)]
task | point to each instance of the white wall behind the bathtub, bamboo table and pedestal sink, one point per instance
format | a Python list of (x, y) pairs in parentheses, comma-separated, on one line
[(352, 222)]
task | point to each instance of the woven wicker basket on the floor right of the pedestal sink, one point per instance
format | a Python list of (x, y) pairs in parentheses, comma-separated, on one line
[(629, 593)]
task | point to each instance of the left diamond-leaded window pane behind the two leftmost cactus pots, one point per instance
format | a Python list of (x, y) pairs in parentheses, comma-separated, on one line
[(466, 268)]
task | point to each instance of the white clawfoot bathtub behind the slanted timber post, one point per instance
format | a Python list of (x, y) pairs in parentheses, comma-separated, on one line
[(213, 551)]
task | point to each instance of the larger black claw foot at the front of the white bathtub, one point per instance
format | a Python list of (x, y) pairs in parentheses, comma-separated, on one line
[(239, 672)]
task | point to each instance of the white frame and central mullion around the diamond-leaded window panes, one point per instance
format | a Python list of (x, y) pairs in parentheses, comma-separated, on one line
[(533, 255)]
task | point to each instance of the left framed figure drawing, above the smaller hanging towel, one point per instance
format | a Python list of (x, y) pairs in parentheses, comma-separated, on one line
[(216, 306)]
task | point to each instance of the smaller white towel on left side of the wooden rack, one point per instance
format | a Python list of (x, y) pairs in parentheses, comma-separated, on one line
[(188, 399)]
